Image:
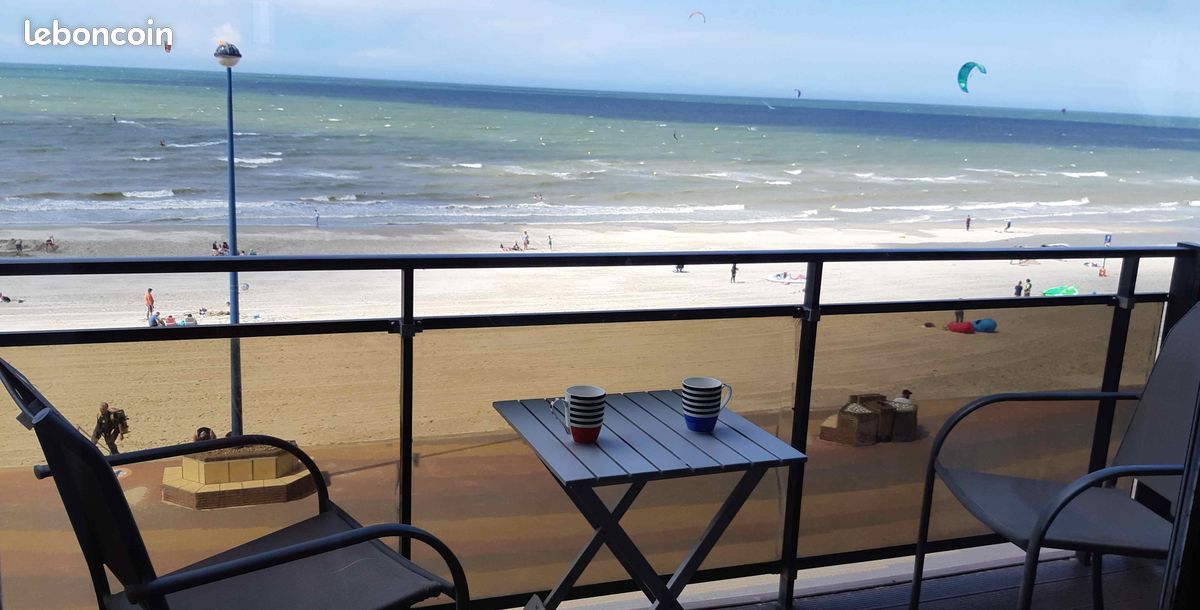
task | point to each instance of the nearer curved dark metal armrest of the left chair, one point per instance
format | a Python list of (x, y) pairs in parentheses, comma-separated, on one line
[(181, 582)]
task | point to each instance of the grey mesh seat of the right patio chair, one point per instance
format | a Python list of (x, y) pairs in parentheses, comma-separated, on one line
[(1101, 519)]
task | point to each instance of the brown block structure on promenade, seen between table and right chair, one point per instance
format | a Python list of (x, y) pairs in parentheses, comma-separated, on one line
[(871, 418)]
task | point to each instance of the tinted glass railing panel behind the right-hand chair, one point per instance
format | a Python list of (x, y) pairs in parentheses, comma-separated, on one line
[(869, 497)]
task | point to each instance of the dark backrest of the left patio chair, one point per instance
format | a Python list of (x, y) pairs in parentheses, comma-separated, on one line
[(94, 501)]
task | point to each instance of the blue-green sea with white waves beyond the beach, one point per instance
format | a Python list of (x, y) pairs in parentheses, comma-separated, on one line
[(104, 146)]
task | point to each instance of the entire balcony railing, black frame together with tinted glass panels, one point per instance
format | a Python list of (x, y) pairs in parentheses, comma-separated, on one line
[(406, 429)]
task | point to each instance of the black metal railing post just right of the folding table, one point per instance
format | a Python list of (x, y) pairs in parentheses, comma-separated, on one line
[(801, 409)]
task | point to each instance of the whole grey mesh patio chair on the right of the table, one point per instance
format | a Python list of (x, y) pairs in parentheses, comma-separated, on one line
[(1089, 515)]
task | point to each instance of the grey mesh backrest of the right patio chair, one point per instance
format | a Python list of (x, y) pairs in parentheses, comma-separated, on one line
[(1162, 424)]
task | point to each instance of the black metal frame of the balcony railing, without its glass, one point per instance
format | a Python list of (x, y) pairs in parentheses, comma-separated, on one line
[(1184, 292)]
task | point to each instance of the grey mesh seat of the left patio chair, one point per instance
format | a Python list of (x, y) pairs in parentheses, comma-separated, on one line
[(369, 576)]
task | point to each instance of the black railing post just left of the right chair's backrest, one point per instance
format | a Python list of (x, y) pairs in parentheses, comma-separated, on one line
[(1114, 361)]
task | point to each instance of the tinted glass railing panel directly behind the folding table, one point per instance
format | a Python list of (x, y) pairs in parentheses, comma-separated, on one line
[(483, 491)]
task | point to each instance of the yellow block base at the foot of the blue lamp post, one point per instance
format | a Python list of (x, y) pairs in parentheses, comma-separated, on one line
[(236, 477)]
